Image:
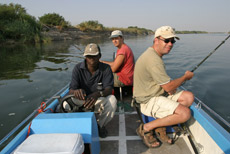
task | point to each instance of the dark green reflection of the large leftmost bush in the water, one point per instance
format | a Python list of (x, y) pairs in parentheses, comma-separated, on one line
[(16, 64)]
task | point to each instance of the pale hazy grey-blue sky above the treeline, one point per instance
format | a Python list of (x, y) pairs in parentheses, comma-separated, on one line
[(199, 15)]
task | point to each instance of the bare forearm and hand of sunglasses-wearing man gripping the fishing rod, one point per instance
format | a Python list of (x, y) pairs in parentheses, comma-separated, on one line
[(171, 86)]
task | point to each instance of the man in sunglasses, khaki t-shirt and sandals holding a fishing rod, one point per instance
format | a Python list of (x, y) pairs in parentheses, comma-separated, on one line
[(157, 93)]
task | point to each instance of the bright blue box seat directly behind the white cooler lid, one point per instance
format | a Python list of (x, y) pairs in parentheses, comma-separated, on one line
[(83, 123)]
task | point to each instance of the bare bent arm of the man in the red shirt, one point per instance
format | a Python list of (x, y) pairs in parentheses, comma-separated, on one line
[(116, 64)]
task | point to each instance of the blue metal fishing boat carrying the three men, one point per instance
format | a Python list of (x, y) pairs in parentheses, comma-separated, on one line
[(200, 135)]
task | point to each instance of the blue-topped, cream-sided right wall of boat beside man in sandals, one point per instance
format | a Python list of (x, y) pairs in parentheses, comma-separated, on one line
[(209, 136)]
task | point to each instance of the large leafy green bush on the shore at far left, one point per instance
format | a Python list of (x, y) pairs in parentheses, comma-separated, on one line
[(16, 24)]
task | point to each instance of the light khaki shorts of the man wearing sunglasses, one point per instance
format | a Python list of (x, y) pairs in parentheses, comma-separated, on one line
[(161, 106)]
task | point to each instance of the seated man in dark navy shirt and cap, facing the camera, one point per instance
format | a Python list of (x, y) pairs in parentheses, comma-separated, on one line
[(85, 78)]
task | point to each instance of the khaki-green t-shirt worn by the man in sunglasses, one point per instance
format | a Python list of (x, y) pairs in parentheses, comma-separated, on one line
[(149, 75)]
